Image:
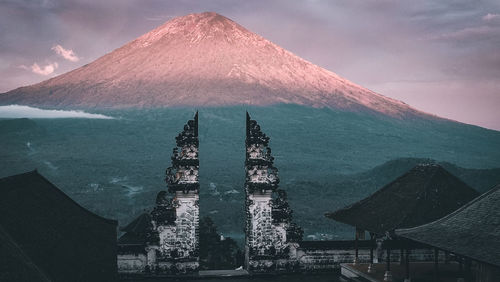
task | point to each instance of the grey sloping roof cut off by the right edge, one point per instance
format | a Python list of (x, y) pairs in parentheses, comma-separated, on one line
[(472, 231)]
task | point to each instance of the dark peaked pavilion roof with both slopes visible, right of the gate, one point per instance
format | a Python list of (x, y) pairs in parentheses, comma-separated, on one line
[(423, 194)]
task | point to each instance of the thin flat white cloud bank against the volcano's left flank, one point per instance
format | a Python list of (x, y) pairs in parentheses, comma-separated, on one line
[(18, 111)]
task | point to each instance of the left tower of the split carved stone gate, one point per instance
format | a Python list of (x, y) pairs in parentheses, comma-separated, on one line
[(178, 239)]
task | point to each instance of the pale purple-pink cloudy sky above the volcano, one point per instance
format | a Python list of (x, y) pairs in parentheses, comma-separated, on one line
[(441, 57)]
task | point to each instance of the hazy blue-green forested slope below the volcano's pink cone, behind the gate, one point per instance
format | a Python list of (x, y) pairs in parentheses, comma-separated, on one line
[(327, 159)]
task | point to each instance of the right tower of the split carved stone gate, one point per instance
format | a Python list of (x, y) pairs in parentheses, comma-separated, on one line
[(269, 228)]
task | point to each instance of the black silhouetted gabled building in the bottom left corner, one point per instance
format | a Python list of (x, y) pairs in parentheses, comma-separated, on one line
[(51, 234)]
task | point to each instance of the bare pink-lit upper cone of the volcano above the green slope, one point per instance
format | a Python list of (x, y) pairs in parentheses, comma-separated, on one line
[(202, 60)]
